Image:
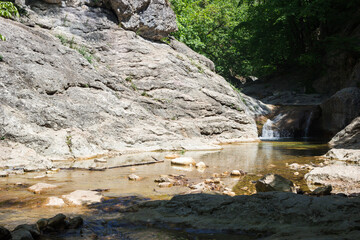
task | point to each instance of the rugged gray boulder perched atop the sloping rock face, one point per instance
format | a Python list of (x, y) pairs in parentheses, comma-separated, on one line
[(152, 19)]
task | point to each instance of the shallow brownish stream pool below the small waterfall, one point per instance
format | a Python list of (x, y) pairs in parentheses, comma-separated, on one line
[(18, 206)]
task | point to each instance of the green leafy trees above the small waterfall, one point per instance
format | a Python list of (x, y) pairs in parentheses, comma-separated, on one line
[(251, 37)]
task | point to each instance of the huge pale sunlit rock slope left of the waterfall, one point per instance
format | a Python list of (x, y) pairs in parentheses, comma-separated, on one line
[(79, 86)]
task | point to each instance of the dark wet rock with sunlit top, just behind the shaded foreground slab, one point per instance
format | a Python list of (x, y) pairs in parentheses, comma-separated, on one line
[(274, 182)]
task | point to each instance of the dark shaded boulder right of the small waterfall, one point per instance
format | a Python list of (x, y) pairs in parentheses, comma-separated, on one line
[(339, 110)]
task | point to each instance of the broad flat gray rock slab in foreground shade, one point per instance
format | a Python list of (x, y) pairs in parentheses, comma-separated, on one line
[(272, 215)]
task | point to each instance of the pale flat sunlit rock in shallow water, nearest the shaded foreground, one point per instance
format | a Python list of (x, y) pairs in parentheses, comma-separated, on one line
[(83, 197)]
